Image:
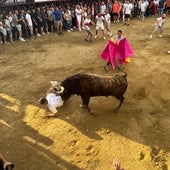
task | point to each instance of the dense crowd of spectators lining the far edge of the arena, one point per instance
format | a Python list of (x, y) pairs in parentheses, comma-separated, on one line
[(31, 22)]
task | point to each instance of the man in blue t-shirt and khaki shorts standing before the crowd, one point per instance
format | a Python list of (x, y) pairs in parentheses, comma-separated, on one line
[(58, 20)]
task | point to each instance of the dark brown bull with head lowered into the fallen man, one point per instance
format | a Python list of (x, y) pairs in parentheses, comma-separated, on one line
[(90, 85)]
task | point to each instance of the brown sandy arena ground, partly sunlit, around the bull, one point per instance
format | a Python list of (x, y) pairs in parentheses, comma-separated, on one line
[(139, 134)]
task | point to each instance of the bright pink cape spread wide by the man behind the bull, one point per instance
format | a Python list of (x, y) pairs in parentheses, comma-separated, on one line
[(120, 51)]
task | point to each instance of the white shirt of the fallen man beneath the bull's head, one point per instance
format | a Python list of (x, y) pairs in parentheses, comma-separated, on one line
[(53, 102)]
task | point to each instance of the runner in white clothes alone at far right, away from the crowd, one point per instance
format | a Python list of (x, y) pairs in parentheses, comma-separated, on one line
[(159, 25)]
